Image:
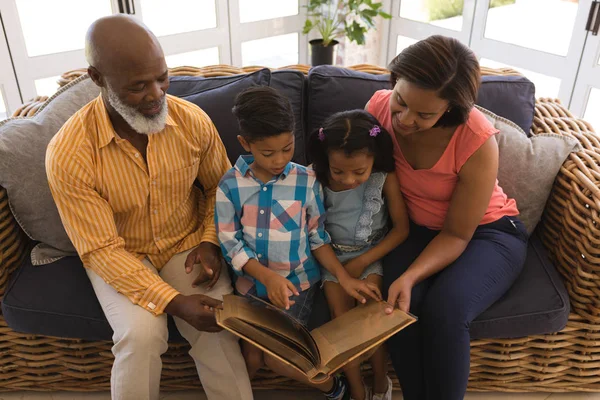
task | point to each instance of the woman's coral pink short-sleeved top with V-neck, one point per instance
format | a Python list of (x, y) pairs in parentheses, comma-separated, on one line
[(427, 192)]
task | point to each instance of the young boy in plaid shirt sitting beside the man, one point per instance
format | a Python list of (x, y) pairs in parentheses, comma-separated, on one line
[(270, 221)]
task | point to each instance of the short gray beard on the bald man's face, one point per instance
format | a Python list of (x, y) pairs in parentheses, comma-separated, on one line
[(135, 119)]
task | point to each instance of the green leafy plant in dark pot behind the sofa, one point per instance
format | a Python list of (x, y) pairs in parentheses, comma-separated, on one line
[(338, 18)]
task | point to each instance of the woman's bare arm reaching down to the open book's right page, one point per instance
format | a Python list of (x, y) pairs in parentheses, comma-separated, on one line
[(470, 200)]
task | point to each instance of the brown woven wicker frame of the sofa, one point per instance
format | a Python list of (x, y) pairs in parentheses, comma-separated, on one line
[(565, 361)]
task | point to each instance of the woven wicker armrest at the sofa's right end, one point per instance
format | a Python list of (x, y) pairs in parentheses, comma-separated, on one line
[(571, 222)]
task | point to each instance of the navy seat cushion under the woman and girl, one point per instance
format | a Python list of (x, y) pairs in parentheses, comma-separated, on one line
[(537, 303)]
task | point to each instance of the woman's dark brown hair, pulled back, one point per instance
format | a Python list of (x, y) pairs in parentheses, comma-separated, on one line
[(445, 65)]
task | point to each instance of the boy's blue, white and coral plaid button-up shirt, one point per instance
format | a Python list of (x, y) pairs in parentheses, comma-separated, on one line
[(277, 223)]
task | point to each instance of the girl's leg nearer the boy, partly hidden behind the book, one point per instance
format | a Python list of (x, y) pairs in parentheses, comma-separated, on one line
[(339, 304)]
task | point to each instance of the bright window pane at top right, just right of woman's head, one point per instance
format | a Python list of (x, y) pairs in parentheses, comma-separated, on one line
[(545, 26)]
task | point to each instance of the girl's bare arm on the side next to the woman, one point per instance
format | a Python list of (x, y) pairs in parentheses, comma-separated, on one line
[(397, 235)]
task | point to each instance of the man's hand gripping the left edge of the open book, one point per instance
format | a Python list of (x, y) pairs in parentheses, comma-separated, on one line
[(197, 310)]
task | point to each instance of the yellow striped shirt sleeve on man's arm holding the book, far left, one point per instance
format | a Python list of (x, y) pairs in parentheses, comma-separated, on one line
[(89, 222)]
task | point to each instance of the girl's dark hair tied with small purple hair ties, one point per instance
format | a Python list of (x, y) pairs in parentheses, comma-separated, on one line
[(349, 131)]
